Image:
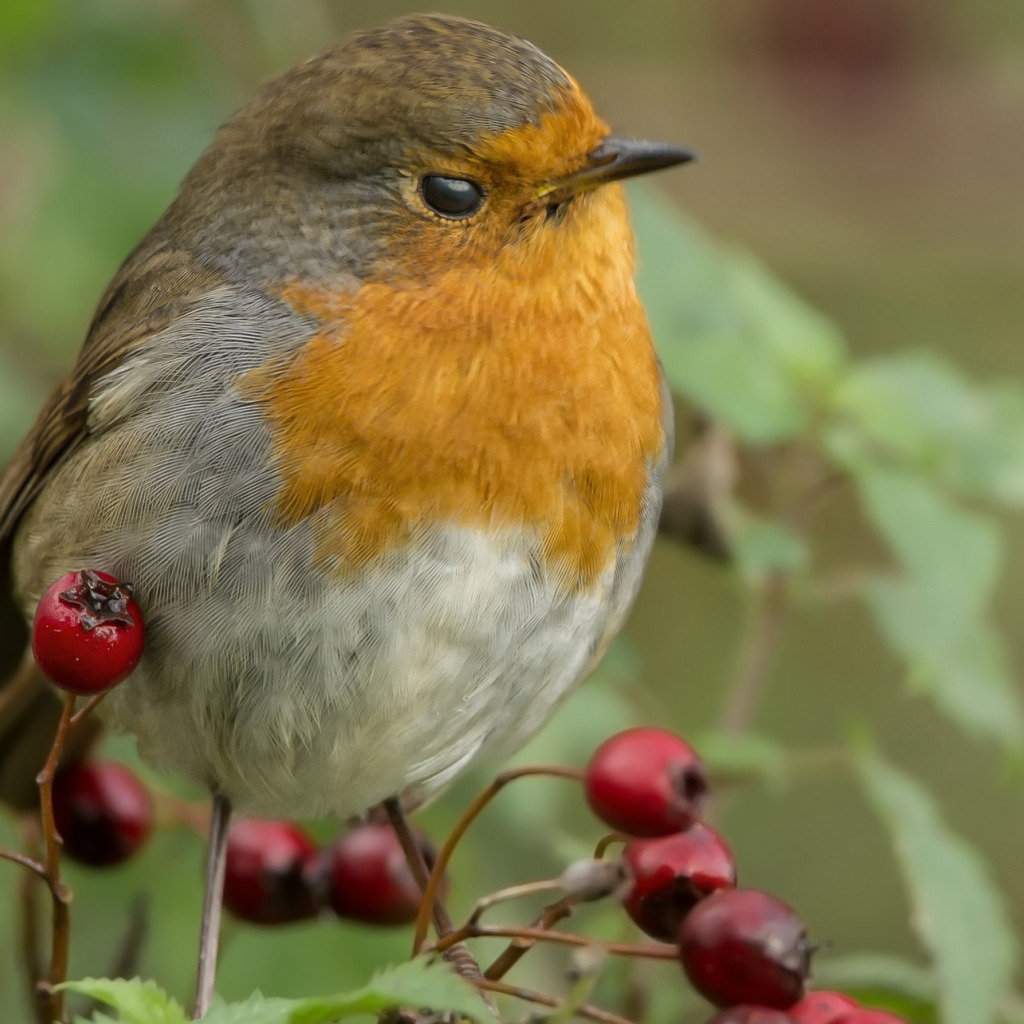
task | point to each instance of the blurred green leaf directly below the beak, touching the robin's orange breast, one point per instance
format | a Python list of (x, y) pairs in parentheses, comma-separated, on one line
[(731, 337)]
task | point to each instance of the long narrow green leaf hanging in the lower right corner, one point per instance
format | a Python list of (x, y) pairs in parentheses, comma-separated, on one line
[(959, 914)]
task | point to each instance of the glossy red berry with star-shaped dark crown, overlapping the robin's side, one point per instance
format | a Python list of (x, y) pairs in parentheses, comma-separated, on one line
[(88, 634)]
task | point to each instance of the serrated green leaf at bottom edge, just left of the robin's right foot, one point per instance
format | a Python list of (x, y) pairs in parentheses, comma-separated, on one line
[(418, 984)]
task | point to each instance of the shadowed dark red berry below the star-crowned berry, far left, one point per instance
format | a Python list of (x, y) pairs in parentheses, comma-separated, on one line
[(103, 813)]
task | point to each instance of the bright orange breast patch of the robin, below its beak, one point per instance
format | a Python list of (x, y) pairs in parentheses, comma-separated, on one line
[(520, 394)]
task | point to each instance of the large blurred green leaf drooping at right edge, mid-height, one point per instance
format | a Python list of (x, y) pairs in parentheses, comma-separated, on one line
[(935, 615)]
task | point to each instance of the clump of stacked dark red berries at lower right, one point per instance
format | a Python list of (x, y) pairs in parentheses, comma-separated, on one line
[(743, 950)]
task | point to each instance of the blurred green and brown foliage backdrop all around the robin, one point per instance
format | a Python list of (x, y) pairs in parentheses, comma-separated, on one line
[(892, 204)]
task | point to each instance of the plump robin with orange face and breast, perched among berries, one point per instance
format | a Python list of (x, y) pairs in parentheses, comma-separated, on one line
[(372, 421)]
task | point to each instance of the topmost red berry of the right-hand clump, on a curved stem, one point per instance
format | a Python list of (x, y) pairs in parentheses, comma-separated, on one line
[(646, 783)]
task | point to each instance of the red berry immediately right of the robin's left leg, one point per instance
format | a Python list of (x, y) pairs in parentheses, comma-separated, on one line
[(271, 873)]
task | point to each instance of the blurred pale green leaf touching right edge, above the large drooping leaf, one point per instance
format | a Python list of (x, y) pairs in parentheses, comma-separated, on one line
[(921, 409)]
